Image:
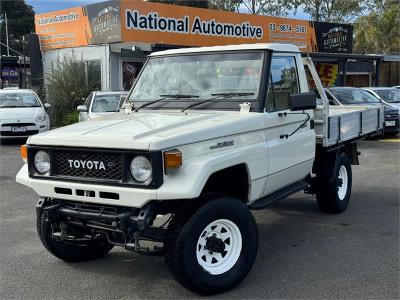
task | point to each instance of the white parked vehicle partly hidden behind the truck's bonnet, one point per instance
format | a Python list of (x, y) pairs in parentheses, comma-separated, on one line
[(100, 104)]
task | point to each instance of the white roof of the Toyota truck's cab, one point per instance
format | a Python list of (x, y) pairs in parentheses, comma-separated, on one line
[(259, 46)]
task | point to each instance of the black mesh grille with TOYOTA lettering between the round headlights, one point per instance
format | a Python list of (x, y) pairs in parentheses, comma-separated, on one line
[(105, 166)]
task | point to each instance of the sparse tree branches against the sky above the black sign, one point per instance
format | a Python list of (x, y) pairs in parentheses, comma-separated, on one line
[(338, 11)]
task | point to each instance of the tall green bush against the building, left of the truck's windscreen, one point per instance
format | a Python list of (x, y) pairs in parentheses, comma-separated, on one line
[(67, 87)]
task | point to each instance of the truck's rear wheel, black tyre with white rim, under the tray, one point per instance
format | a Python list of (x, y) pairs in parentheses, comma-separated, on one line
[(333, 188)]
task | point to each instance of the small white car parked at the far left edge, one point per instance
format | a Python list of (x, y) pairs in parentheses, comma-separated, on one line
[(22, 114)]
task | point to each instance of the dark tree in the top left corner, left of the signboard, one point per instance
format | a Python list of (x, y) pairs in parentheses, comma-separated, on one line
[(20, 19)]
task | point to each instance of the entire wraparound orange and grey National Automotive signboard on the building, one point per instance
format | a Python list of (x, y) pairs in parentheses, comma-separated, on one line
[(147, 22)]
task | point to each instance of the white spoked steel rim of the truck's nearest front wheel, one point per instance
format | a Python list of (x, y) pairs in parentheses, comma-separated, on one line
[(211, 238)]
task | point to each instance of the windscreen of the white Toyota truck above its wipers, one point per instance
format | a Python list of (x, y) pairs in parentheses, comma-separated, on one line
[(201, 76)]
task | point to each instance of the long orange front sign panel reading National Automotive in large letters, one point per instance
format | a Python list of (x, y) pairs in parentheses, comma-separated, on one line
[(187, 26)]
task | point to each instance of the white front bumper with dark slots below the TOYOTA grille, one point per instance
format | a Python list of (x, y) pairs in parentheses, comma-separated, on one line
[(89, 193)]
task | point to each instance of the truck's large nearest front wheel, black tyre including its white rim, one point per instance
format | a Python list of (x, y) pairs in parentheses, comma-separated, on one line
[(211, 249)]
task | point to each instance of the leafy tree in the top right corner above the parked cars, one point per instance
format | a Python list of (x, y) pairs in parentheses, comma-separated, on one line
[(378, 32)]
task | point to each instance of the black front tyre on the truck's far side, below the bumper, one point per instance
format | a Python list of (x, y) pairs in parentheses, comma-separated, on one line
[(67, 251)]
